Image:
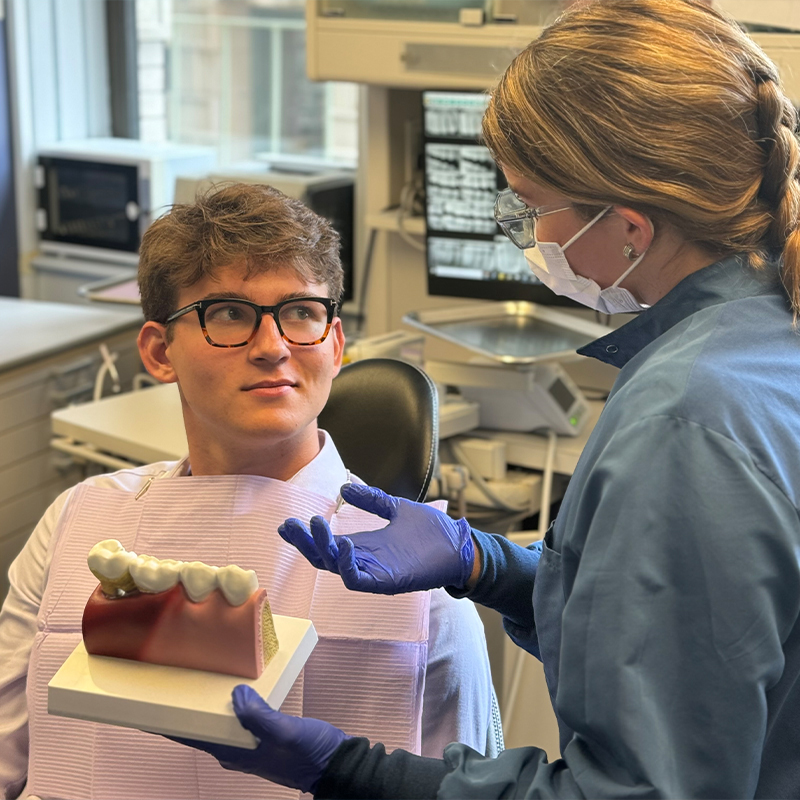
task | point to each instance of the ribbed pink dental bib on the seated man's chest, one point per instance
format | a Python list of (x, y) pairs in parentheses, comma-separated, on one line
[(366, 674)]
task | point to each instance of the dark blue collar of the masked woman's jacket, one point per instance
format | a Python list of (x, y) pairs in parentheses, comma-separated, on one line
[(730, 279)]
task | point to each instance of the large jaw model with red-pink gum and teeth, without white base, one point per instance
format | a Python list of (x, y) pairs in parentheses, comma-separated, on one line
[(180, 614)]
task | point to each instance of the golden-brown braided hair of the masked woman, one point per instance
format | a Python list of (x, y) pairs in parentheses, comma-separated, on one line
[(665, 106)]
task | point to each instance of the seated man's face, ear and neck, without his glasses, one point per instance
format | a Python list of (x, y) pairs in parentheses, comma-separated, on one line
[(251, 404)]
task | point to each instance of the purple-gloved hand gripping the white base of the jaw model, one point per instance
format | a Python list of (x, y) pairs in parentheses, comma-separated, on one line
[(292, 751)]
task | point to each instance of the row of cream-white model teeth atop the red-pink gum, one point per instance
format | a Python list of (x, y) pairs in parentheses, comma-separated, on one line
[(120, 571)]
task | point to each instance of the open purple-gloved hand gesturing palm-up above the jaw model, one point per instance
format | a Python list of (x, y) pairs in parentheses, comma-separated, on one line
[(421, 548)]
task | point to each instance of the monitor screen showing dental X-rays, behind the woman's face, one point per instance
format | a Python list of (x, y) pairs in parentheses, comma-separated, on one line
[(467, 253)]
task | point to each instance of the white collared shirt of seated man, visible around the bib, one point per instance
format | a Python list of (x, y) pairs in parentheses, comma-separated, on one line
[(457, 696)]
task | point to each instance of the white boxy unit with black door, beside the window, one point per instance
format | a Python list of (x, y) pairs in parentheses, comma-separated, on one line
[(96, 197)]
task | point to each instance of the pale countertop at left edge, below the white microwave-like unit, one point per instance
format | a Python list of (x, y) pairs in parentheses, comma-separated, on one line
[(32, 329)]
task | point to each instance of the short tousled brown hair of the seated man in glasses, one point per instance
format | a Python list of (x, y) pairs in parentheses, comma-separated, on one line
[(227, 224)]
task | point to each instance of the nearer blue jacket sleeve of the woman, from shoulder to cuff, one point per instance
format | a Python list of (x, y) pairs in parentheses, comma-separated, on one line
[(680, 567)]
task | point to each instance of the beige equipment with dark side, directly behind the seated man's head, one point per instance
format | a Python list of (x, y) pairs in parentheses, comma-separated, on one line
[(327, 192)]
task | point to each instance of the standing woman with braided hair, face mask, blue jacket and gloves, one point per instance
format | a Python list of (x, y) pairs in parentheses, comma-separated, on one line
[(652, 166)]
